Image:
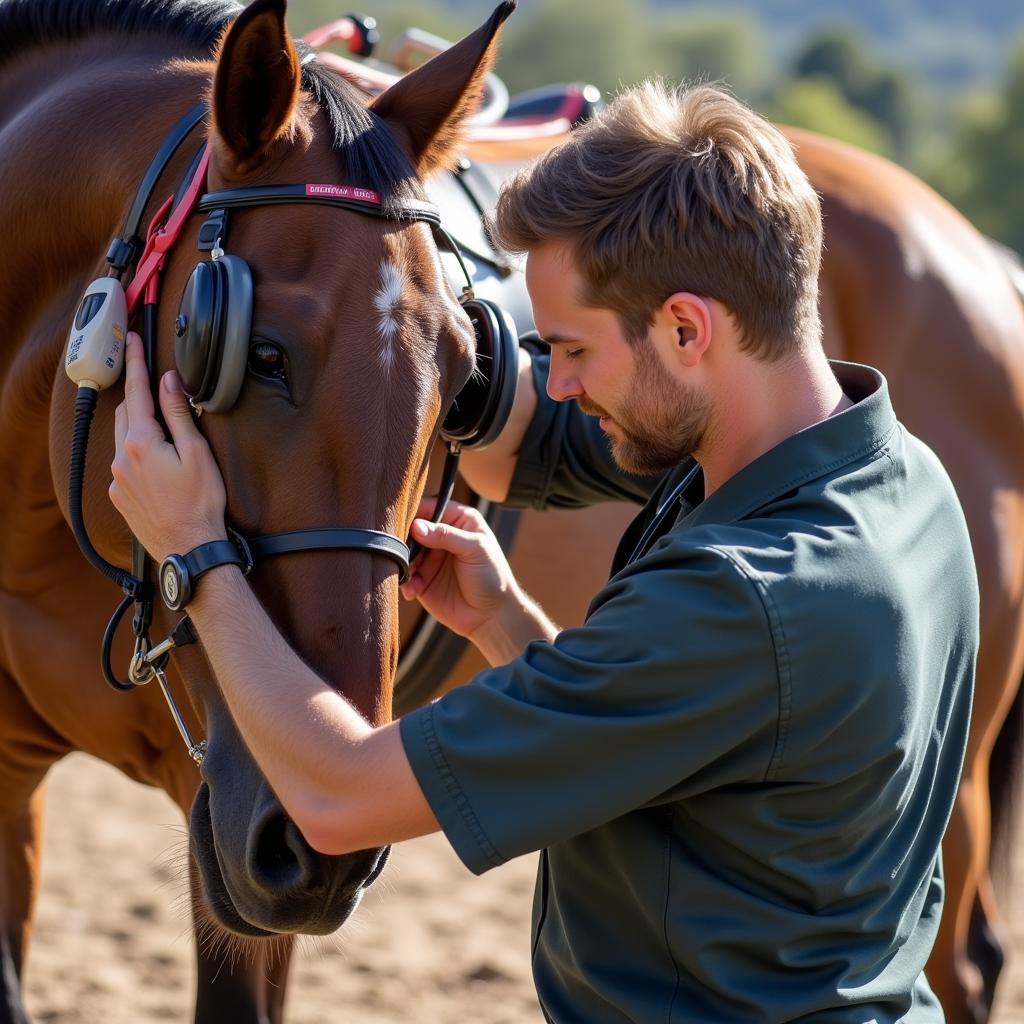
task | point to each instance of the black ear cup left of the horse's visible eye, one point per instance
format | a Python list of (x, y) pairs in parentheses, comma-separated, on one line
[(211, 345)]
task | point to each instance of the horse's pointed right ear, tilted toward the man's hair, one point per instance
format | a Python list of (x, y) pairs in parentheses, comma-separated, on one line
[(431, 104)]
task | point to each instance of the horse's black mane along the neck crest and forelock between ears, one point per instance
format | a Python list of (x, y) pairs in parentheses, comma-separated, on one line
[(373, 157)]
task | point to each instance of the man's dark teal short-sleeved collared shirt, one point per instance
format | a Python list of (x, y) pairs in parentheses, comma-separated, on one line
[(740, 769)]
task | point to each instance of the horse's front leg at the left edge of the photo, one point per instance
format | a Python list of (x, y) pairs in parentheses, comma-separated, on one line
[(28, 748)]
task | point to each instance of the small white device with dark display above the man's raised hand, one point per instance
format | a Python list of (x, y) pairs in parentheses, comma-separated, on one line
[(97, 342)]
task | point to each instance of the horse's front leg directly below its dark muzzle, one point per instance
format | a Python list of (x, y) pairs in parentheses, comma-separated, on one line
[(239, 982)]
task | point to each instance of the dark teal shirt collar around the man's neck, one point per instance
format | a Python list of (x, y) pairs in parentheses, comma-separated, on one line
[(814, 452)]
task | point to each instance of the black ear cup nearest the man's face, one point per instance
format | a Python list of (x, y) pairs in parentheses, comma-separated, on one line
[(482, 409)]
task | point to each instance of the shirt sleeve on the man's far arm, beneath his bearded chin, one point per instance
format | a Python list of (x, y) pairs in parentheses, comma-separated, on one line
[(566, 459)]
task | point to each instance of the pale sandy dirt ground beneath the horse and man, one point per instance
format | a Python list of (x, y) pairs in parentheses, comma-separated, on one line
[(431, 944)]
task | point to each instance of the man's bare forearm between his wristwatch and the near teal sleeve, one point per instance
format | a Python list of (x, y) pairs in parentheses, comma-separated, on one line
[(329, 767)]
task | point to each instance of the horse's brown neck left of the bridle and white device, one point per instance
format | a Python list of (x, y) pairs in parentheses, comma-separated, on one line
[(77, 133)]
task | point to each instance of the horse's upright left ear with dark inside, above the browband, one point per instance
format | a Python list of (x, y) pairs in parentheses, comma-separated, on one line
[(257, 87)]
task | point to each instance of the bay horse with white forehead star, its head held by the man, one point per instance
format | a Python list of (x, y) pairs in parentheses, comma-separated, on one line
[(348, 375)]
